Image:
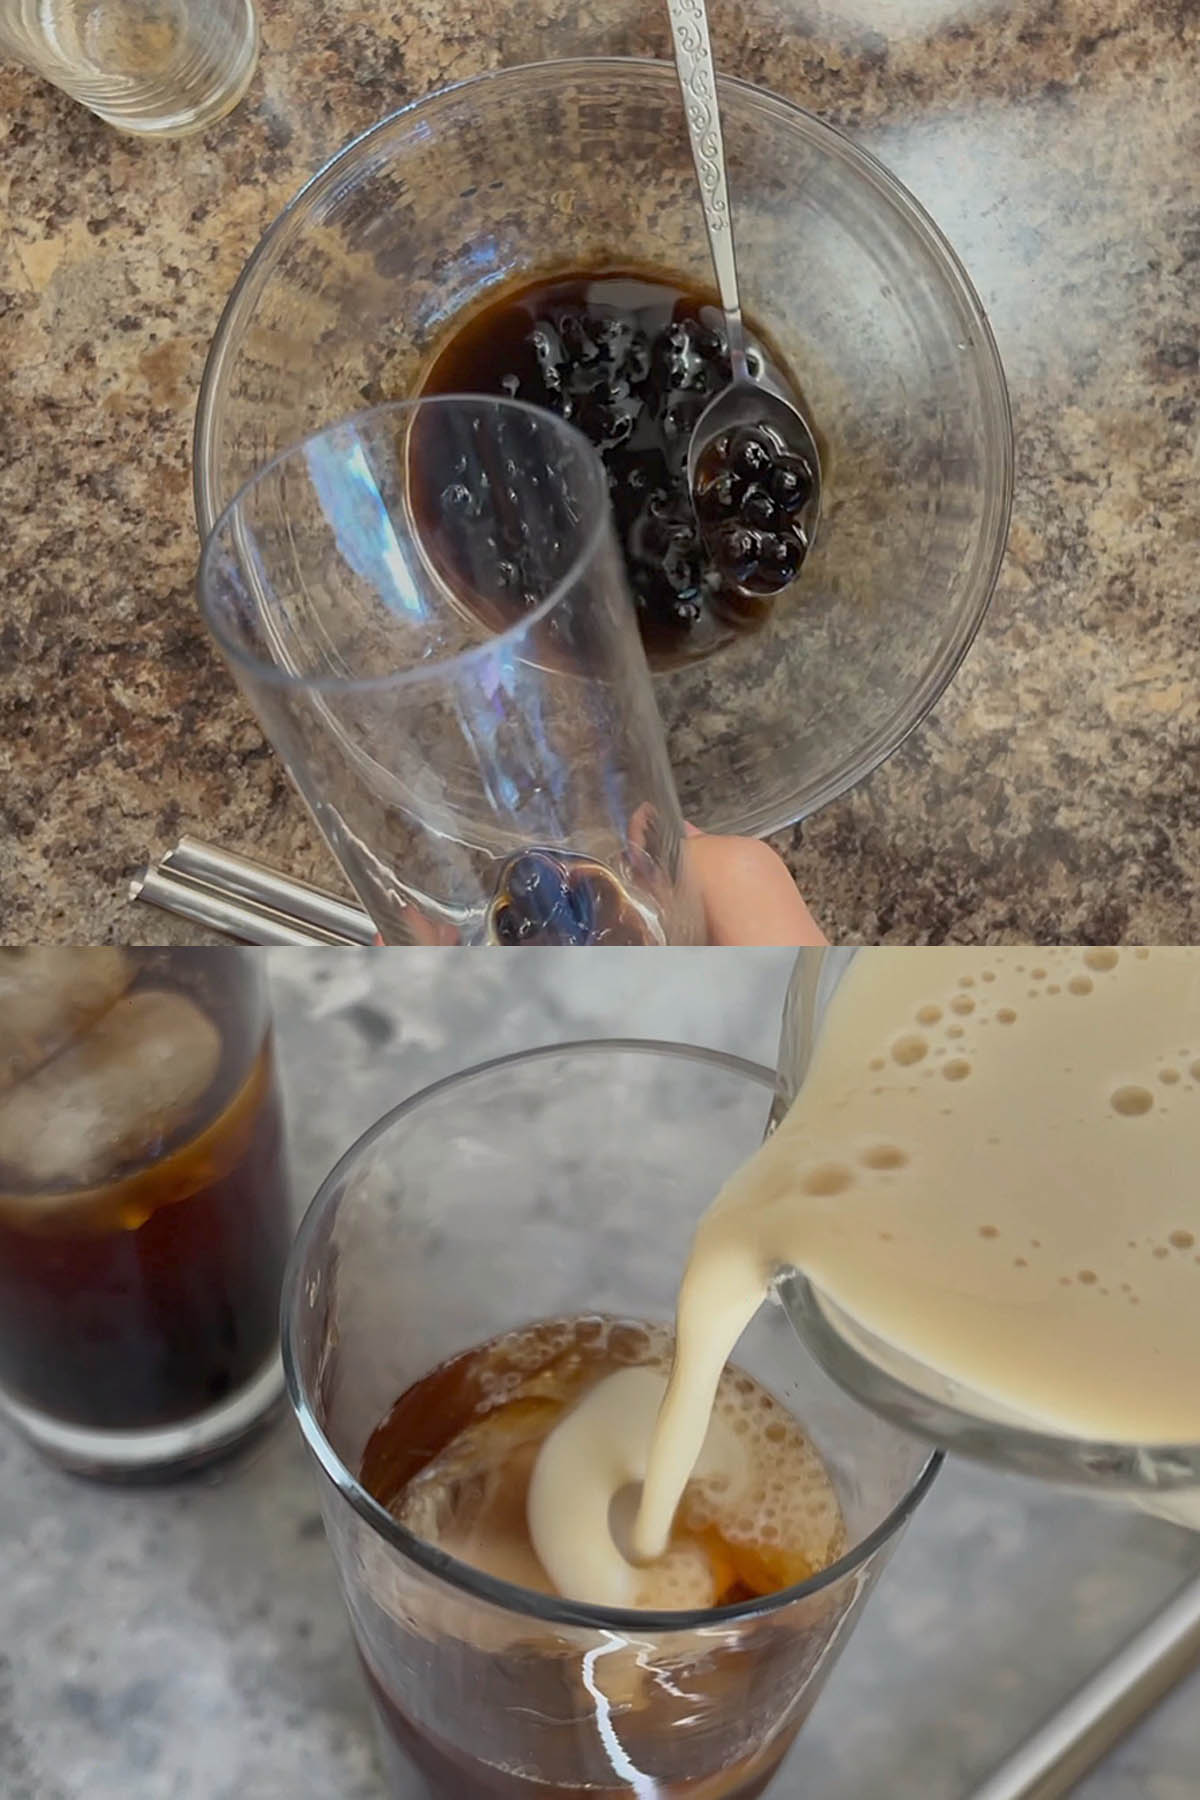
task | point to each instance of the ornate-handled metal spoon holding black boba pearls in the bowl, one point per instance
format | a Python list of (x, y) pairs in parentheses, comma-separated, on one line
[(753, 465)]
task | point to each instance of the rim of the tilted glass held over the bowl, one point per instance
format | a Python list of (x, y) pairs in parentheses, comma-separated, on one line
[(226, 528)]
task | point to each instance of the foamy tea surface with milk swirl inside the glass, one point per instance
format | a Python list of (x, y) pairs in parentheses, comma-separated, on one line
[(505, 1425)]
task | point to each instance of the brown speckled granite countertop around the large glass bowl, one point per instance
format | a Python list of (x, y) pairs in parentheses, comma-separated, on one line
[(1052, 795)]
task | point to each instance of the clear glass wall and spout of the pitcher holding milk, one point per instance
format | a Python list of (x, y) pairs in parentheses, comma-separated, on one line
[(1161, 1479)]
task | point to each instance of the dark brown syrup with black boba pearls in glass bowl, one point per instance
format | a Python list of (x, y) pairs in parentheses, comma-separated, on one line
[(632, 359)]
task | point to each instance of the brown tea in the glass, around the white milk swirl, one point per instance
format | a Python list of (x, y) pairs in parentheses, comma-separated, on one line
[(452, 1462)]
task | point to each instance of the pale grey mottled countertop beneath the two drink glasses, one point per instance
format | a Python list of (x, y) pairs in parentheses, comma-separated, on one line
[(190, 1644)]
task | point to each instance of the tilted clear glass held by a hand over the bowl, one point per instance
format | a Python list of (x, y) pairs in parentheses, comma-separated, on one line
[(429, 615)]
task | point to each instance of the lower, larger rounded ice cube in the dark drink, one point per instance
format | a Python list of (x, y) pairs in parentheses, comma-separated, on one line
[(120, 1088)]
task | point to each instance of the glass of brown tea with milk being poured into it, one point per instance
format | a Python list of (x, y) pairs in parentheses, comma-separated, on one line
[(488, 1264)]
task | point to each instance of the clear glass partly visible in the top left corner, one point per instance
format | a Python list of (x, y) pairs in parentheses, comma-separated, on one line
[(148, 67)]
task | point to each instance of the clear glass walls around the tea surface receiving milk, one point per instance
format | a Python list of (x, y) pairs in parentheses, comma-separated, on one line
[(560, 1182)]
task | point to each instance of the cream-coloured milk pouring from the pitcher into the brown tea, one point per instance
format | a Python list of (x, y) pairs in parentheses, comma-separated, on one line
[(994, 1165)]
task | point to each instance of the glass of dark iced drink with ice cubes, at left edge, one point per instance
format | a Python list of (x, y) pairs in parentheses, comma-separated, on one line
[(145, 1210)]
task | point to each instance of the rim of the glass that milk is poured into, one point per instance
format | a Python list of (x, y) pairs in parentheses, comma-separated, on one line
[(440, 1563)]
